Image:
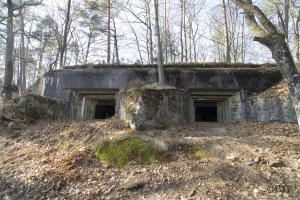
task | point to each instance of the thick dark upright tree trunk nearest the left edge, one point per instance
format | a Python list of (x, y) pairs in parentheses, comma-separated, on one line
[(8, 76)]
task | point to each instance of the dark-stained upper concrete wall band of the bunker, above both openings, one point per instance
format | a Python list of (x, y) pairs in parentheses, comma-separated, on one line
[(59, 83)]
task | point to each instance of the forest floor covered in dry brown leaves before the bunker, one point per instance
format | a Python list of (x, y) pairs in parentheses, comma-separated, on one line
[(55, 160)]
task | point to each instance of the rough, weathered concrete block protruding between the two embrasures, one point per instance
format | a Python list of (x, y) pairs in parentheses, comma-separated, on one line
[(155, 108)]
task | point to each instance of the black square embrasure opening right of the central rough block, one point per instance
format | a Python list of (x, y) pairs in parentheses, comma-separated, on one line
[(206, 112)]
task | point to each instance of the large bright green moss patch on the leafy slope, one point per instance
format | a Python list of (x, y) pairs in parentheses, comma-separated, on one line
[(129, 150)]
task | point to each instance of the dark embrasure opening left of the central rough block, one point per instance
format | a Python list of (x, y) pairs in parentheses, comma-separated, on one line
[(104, 110)]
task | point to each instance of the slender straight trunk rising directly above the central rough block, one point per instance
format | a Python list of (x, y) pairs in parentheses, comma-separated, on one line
[(161, 74)]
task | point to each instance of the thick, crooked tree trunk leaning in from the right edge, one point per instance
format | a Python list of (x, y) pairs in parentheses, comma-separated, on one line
[(267, 34)]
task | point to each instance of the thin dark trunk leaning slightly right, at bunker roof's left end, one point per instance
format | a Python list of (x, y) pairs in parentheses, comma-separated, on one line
[(65, 36)]
